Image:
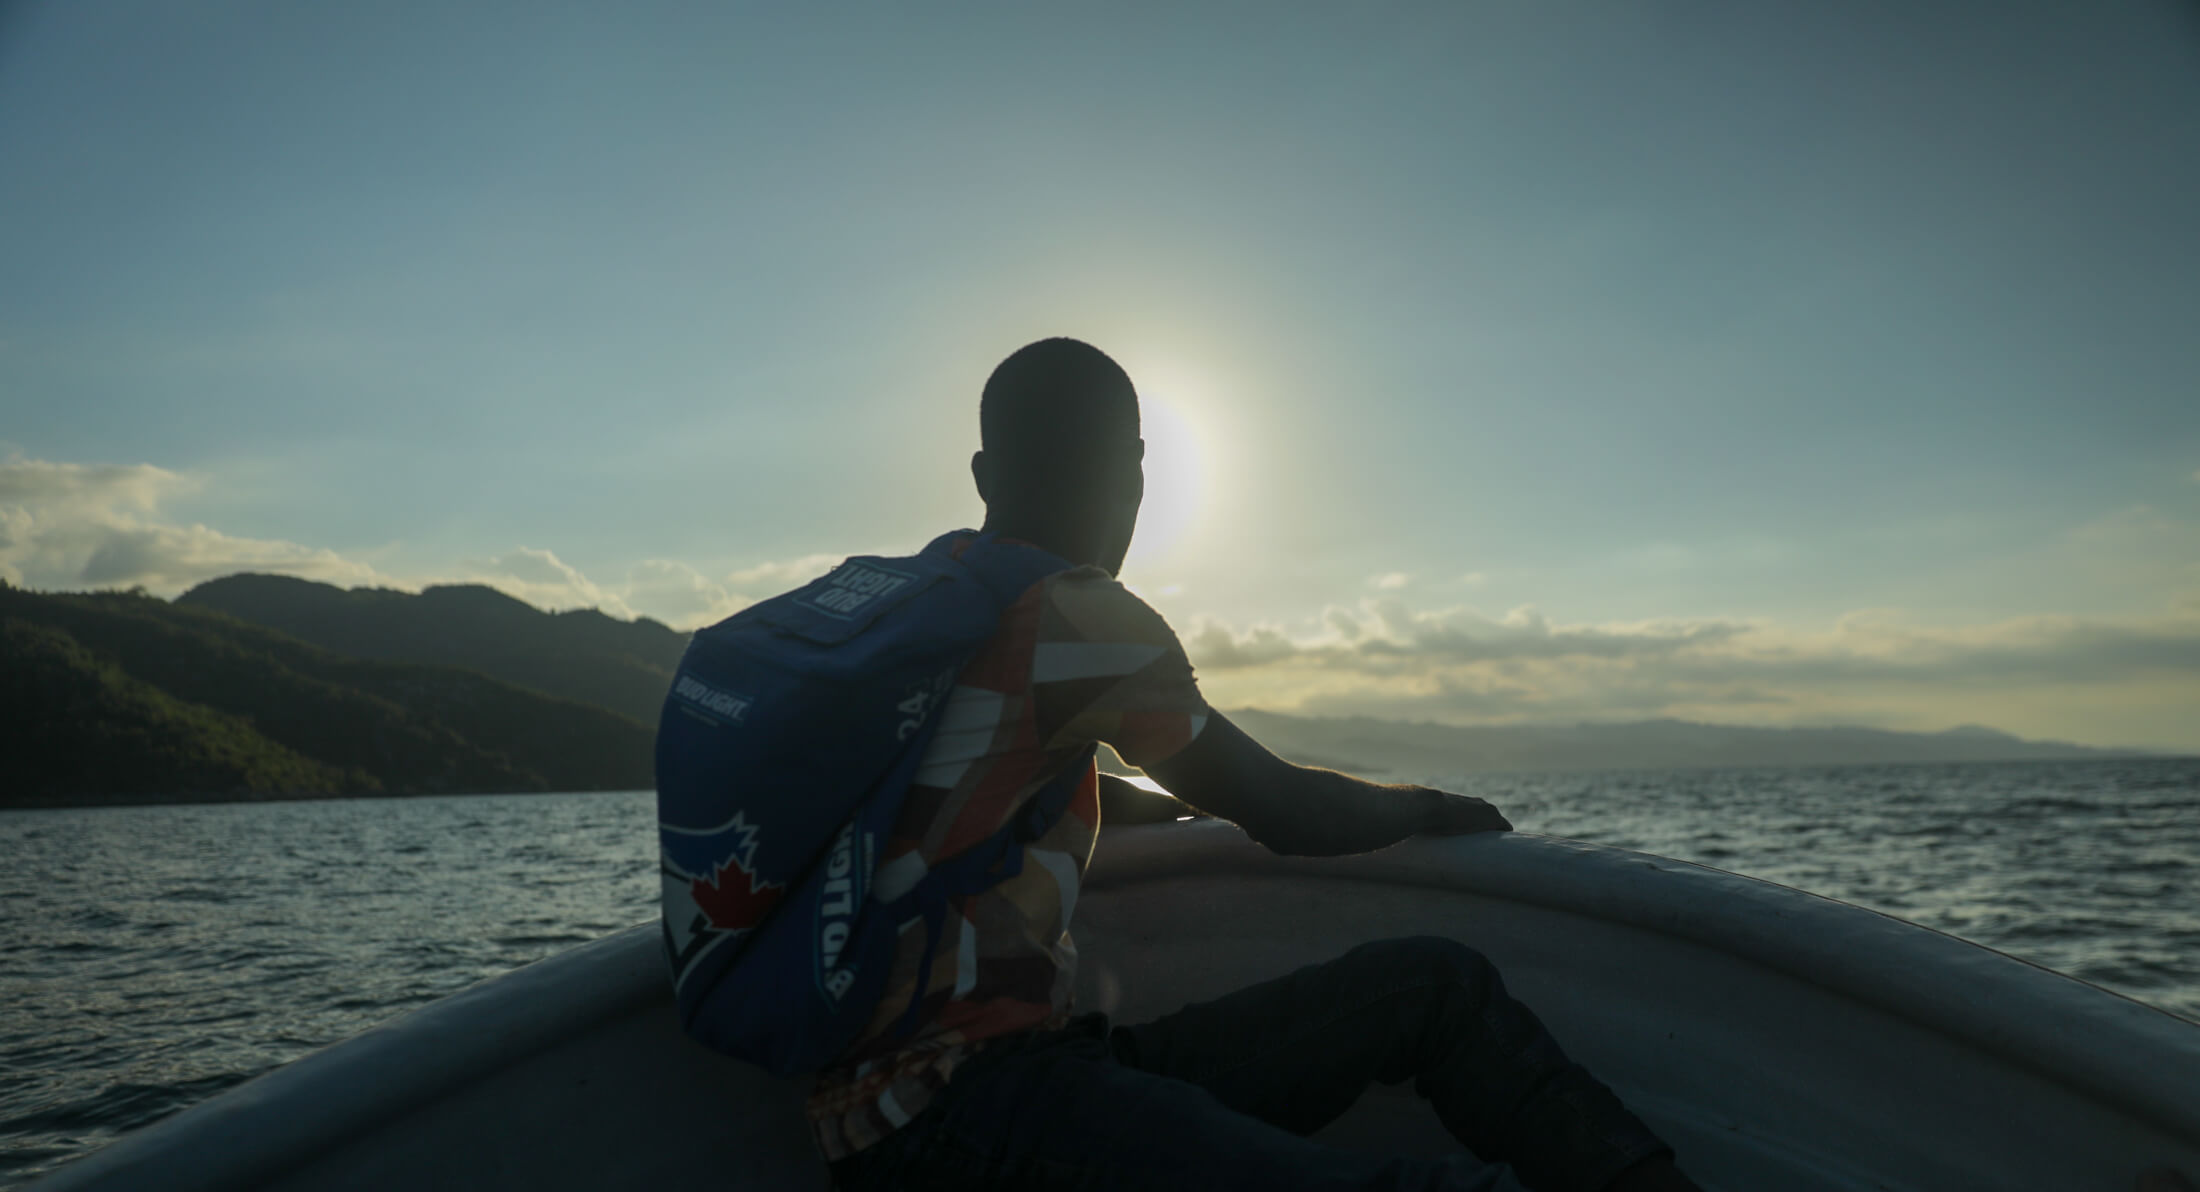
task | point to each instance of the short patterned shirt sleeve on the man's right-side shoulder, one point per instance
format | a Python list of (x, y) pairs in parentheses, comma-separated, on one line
[(1105, 667)]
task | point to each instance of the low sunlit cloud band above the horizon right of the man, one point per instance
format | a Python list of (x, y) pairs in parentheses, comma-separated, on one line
[(2104, 678)]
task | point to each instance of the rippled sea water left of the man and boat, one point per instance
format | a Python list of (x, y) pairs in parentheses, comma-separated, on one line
[(159, 956)]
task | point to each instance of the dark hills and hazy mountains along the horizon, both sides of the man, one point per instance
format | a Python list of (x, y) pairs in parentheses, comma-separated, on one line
[(267, 687)]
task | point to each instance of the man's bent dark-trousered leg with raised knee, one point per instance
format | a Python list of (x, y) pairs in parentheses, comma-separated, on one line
[(1297, 1052)]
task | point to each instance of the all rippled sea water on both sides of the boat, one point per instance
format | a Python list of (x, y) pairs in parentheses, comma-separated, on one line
[(157, 956)]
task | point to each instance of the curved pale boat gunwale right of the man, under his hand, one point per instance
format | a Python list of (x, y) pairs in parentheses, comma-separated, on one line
[(2023, 1013)]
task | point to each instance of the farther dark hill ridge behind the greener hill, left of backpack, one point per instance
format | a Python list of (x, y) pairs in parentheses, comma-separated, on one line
[(584, 656)]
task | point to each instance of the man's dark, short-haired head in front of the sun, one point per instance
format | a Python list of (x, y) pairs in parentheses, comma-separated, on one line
[(1059, 461)]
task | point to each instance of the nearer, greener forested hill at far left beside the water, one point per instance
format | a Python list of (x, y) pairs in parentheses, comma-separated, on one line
[(118, 698)]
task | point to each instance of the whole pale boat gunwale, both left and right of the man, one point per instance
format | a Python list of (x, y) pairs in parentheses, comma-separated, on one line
[(2036, 1017)]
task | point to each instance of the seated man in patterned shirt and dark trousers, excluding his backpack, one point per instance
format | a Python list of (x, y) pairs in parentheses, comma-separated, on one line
[(1000, 1088)]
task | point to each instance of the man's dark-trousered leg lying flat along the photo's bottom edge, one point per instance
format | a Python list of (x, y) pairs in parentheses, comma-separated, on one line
[(1061, 1114)]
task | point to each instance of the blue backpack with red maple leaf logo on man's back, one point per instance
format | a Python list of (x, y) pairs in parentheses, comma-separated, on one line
[(786, 749)]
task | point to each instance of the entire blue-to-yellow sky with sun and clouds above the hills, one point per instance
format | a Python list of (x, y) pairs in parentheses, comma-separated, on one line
[(1501, 362)]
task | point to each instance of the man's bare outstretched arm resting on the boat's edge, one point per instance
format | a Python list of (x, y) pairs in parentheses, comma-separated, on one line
[(1301, 810)]
